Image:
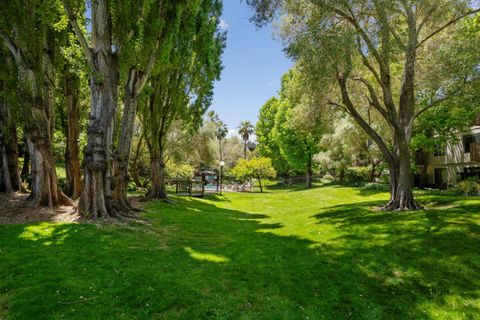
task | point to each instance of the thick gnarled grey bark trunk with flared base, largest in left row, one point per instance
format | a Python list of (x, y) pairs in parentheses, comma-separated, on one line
[(97, 200)]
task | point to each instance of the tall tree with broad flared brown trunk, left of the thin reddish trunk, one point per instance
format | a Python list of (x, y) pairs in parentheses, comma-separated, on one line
[(29, 35)]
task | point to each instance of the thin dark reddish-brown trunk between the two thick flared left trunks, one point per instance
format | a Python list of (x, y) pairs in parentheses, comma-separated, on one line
[(73, 187)]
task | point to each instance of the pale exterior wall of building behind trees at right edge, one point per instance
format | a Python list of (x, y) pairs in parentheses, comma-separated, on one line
[(453, 162)]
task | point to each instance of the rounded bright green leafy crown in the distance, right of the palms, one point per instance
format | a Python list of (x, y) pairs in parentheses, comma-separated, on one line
[(290, 127)]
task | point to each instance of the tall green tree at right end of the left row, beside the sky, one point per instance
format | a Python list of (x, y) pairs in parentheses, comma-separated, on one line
[(183, 86)]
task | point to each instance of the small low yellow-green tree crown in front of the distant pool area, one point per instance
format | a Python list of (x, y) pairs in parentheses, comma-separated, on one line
[(256, 168)]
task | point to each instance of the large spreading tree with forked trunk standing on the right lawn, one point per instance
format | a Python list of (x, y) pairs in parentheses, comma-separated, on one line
[(371, 50)]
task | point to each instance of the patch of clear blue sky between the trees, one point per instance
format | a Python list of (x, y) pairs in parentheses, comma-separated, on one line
[(253, 65)]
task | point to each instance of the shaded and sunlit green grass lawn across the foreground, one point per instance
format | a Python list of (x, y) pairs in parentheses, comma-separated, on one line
[(324, 253)]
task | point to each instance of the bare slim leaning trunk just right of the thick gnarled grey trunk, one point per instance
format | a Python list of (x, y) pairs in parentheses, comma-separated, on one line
[(120, 168)]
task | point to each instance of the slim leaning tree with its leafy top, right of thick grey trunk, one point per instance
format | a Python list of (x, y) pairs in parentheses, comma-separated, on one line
[(144, 34)]
